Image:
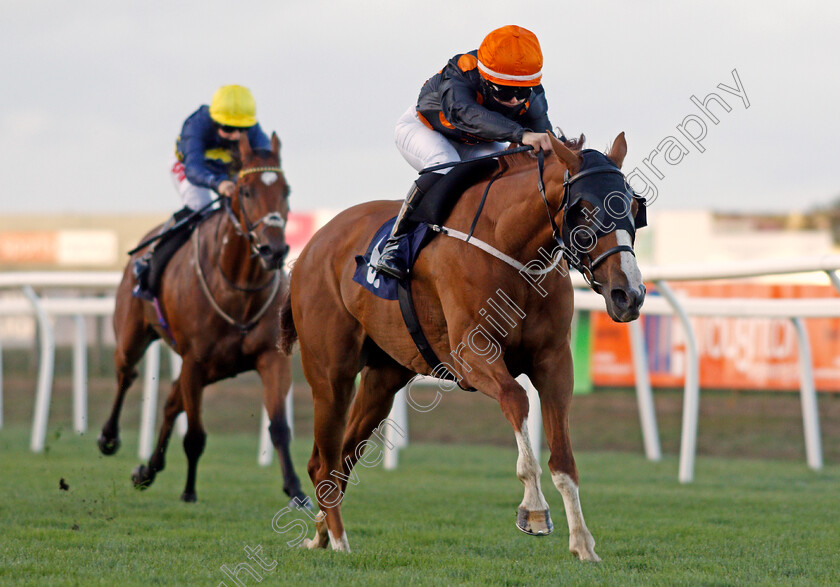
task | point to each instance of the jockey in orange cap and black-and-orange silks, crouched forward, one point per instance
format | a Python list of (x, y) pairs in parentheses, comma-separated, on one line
[(474, 106)]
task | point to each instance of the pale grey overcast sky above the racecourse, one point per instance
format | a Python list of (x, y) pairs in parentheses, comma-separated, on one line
[(94, 93)]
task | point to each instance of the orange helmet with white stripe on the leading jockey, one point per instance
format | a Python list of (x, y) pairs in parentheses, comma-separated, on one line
[(511, 56)]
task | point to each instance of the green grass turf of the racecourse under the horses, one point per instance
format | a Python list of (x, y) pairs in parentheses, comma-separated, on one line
[(446, 516)]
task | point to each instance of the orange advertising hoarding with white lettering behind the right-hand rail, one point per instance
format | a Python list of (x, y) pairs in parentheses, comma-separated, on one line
[(735, 353)]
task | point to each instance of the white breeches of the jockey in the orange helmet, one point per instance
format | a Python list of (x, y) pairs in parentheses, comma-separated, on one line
[(423, 147)]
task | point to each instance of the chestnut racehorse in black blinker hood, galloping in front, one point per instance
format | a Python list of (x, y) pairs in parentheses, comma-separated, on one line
[(343, 328)]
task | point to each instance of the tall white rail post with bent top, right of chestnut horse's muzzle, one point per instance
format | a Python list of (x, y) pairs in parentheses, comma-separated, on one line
[(691, 399)]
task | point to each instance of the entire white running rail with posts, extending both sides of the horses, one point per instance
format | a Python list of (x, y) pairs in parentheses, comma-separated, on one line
[(45, 308)]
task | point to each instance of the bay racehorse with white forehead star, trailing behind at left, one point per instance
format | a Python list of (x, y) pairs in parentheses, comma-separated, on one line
[(217, 308)]
